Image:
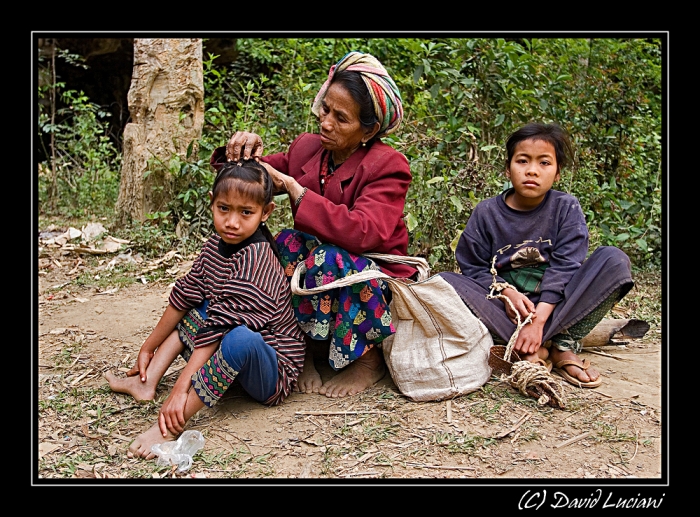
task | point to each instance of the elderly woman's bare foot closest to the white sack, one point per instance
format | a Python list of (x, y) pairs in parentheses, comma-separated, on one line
[(357, 376)]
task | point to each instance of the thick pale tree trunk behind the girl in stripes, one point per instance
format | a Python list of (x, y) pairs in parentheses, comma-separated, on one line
[(166, 104)]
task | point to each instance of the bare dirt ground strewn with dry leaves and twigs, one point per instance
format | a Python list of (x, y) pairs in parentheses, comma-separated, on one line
[(83, 430)]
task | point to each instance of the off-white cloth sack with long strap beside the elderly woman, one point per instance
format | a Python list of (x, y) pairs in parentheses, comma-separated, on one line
[(440, 349)]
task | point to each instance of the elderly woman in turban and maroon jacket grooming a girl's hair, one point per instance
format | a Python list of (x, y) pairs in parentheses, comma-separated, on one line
[(347, 190)]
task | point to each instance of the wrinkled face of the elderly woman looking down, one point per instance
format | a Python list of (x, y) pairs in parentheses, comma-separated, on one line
[(341, 131)]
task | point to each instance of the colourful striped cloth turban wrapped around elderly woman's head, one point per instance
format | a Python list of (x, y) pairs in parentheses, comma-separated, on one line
[(382, 88)]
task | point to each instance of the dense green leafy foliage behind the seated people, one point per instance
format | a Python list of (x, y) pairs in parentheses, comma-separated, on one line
[(462, 98)]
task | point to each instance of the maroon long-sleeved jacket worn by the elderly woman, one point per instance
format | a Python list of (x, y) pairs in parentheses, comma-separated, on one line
[(362, 209)]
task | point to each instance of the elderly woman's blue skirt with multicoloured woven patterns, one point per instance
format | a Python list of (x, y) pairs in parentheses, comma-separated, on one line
[(354, 318)]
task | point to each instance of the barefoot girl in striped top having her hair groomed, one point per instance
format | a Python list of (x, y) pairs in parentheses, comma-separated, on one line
[(230, 317)]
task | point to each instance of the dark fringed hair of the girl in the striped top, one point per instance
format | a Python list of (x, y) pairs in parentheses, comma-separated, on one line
[(251, 180)]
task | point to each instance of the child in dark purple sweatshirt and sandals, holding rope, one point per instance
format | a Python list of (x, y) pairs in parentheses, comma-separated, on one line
[(536, 241)]
